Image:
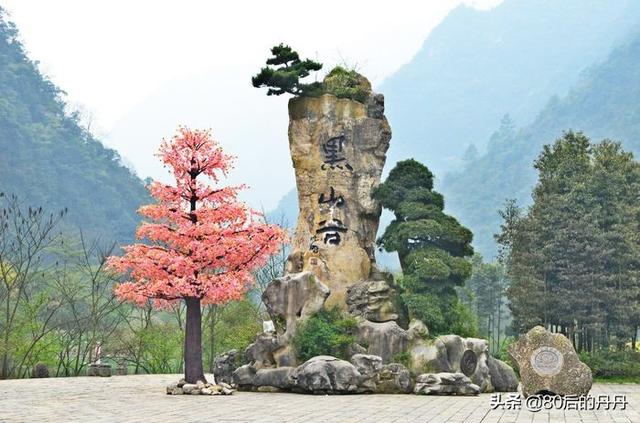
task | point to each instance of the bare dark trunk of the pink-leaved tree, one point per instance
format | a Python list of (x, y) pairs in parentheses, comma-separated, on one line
[(193, 371)]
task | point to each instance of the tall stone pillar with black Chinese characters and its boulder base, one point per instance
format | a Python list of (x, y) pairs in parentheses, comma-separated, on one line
[(338, 147)]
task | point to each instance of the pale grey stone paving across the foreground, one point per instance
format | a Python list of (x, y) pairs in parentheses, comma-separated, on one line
[(142, 399)]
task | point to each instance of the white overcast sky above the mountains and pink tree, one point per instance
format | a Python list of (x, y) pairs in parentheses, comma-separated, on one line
[(139, 68)]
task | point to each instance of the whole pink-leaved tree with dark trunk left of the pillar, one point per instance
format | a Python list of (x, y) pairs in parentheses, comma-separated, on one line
[(203, 243)]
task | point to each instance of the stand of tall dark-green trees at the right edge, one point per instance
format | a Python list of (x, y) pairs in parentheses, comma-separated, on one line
[(573, 257)]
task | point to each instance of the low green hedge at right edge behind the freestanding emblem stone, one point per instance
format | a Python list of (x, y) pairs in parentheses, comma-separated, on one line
[(611, 364)]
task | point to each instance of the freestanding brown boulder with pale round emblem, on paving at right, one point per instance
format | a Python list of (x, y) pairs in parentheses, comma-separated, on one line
[(549, 364)]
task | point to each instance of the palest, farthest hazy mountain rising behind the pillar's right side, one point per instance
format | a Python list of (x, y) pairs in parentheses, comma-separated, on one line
[(478, 65)]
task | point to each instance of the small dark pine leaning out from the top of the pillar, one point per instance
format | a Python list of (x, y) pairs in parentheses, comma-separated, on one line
[(285, 78)]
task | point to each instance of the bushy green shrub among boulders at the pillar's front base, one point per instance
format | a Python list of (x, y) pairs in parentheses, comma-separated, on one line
[(327, 332)]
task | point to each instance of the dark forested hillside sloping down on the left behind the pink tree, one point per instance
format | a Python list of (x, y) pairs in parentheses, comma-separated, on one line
[(47, 159)]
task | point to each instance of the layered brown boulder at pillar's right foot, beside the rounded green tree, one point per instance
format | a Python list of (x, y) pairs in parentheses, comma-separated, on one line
[(372, 300)]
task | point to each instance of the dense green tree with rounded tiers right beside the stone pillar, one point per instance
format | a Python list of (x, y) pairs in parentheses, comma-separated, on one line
[(431, 245)]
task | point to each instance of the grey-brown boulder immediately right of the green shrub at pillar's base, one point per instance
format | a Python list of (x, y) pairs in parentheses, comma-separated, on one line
[(385, 340)]
